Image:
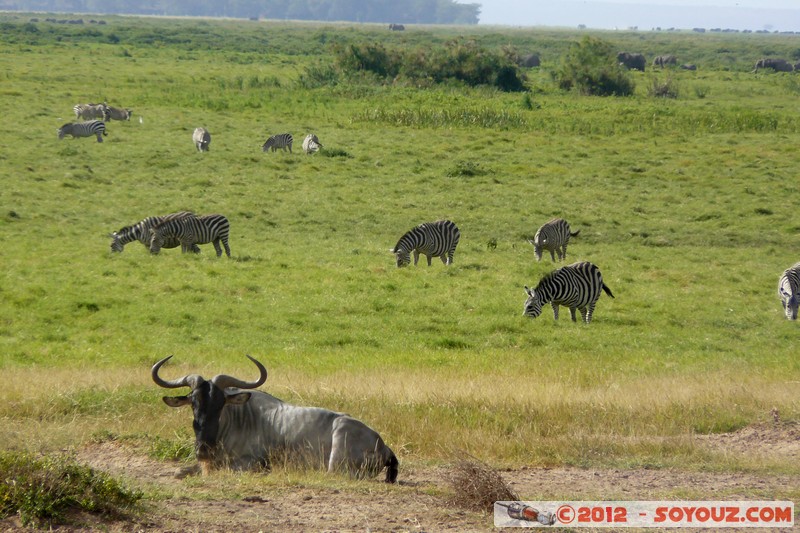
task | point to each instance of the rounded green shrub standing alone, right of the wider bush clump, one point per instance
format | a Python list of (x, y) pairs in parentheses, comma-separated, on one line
[(591, 67)]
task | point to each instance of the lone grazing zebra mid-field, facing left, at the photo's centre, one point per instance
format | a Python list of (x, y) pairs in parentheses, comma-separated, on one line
[(434, 239)]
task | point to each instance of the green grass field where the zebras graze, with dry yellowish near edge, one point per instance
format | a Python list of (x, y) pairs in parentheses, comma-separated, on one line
[(687, 205)]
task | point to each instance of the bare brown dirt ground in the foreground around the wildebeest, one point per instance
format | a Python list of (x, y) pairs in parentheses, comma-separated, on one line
[(423, 500)]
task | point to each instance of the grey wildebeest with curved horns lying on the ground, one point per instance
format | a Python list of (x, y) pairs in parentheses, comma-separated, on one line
[(240, 428)]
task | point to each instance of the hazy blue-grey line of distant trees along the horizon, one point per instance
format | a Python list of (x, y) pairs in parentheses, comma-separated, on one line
[(379, 11)]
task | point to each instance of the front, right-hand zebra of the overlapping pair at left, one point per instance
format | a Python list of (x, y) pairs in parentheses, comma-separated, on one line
[(191, 231)]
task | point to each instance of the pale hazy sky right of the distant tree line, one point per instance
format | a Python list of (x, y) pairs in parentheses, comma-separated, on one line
[(781, 15)]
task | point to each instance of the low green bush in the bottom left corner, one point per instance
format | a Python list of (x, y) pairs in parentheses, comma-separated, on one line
[(46, 489)]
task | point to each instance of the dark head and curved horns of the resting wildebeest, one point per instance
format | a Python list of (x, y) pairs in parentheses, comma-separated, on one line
[(208, 398)]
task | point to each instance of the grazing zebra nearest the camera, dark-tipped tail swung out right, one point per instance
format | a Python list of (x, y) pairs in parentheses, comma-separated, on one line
[(576, 286)]
